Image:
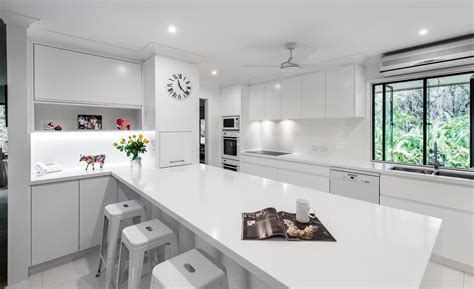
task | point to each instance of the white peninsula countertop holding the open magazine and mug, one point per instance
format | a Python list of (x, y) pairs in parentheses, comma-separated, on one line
[(377, 246)]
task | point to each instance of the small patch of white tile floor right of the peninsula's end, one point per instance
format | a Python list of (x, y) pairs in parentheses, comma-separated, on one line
[(438, 276)]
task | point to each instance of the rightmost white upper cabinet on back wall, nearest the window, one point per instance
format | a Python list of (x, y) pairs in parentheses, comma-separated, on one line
[(345, 92)]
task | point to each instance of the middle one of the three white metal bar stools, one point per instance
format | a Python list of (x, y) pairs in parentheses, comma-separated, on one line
[(138, 239)]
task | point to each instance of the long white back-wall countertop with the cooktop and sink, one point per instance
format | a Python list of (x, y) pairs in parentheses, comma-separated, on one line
[(359, 165)]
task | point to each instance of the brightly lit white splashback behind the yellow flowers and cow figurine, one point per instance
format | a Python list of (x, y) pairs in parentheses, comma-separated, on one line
[(66, 147)]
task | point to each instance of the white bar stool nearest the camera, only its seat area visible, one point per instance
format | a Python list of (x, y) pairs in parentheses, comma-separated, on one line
[(189, 270)]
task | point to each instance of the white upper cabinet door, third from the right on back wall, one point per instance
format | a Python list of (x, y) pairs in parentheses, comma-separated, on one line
[(291, 98)]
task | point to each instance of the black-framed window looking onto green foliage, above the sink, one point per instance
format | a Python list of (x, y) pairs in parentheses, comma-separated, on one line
[(409, 117)]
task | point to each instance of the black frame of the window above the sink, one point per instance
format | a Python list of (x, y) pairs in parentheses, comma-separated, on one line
[(424, 79)]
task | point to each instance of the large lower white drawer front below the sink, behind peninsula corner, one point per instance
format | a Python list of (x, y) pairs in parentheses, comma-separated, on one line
[(456, 237)]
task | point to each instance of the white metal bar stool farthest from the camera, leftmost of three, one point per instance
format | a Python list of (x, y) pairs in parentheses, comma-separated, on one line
[(114, 214)]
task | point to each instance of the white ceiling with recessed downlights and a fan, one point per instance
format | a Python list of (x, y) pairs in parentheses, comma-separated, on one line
[(226, 35)]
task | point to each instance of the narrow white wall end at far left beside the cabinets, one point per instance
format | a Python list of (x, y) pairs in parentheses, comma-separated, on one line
[(19, 157)]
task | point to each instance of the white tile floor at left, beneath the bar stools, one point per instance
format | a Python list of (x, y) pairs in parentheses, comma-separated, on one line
[(76, 274)]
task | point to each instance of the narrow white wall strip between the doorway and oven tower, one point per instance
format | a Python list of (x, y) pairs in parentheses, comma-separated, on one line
[(211, 92)]
